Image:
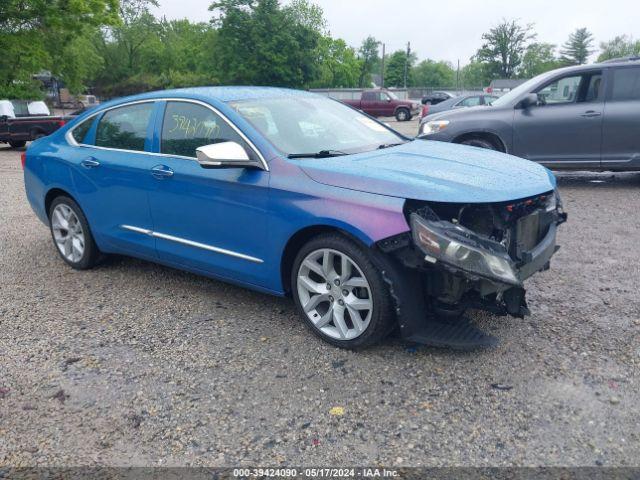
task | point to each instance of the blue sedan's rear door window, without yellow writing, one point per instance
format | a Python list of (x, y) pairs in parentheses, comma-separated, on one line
[(125, 128)]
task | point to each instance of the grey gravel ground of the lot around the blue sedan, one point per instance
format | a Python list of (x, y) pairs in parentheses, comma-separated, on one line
[(136, 364)]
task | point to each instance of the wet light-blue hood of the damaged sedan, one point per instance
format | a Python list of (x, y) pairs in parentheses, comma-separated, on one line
[(434, 171)]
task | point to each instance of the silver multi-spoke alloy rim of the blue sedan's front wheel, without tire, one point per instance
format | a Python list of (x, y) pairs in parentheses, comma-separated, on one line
[(334, 294)]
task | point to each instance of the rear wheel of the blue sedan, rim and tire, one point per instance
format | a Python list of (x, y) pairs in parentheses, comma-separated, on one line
[(71, 234)]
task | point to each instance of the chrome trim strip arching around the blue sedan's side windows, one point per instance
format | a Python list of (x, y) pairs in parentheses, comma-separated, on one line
[(72, 141)]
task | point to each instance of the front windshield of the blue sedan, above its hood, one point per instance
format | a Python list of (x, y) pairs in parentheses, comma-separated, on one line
[(309, 124)]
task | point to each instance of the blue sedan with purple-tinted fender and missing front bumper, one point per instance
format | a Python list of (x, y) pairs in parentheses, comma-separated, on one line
[(291, 193)]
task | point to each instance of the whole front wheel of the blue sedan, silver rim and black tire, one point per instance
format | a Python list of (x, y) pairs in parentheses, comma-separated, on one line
[(340, 293)]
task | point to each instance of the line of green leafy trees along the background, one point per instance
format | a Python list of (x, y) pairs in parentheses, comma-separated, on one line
[(120, 47)]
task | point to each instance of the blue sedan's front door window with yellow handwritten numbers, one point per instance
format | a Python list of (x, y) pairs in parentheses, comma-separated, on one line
[(187, 126)]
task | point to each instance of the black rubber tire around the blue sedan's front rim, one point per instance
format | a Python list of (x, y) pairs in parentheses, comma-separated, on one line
[(382, 317)]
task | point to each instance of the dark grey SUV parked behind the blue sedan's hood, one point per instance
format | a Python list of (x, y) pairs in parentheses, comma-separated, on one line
[(584, 117)]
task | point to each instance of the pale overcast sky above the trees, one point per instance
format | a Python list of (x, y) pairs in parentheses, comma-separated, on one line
[(451, 30)]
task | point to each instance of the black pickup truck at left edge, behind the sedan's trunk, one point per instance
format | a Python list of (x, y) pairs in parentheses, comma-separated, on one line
[(23, 121)]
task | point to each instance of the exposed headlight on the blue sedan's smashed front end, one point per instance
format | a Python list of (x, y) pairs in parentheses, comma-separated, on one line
[(461, 248)]
